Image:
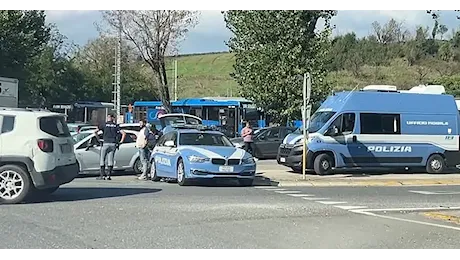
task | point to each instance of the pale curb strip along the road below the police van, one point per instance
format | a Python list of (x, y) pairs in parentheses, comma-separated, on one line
[(373, 183)]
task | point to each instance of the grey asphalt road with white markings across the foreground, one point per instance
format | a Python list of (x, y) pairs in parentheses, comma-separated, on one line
[(98, 217)]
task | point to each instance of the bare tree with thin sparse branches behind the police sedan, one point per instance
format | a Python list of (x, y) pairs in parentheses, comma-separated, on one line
[(155, 33)]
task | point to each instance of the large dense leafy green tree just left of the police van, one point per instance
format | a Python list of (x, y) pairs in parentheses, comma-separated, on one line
[(272, 49)]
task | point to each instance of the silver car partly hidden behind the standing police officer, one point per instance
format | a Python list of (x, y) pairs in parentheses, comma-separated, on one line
[(87, 151)]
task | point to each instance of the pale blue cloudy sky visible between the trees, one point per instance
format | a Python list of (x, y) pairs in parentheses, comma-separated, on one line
[(210, 34)]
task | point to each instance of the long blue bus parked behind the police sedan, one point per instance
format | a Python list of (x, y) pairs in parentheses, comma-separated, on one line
[(226, 113)]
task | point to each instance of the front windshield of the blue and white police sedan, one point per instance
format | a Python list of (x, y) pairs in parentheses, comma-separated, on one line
[(210, 139)]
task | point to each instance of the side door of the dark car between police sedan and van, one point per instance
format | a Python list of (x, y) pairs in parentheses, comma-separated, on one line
[(267, 142)]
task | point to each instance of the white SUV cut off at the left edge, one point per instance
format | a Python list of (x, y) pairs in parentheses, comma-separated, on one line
[(36, 153)]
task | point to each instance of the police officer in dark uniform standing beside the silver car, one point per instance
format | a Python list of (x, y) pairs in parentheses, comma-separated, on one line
[(111, 142)]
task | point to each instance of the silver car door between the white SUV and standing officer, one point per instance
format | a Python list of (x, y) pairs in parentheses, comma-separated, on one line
[(88, 155)]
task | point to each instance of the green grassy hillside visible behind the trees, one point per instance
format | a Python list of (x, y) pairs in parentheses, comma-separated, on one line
[(208, 74)]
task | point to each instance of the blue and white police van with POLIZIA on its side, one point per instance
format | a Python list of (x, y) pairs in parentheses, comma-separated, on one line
[(380, 127)]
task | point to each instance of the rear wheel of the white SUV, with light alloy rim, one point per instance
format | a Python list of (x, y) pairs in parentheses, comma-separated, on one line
[(9, 173)]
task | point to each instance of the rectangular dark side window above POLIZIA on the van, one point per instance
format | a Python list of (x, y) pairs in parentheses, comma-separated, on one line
[(372, 123)]
